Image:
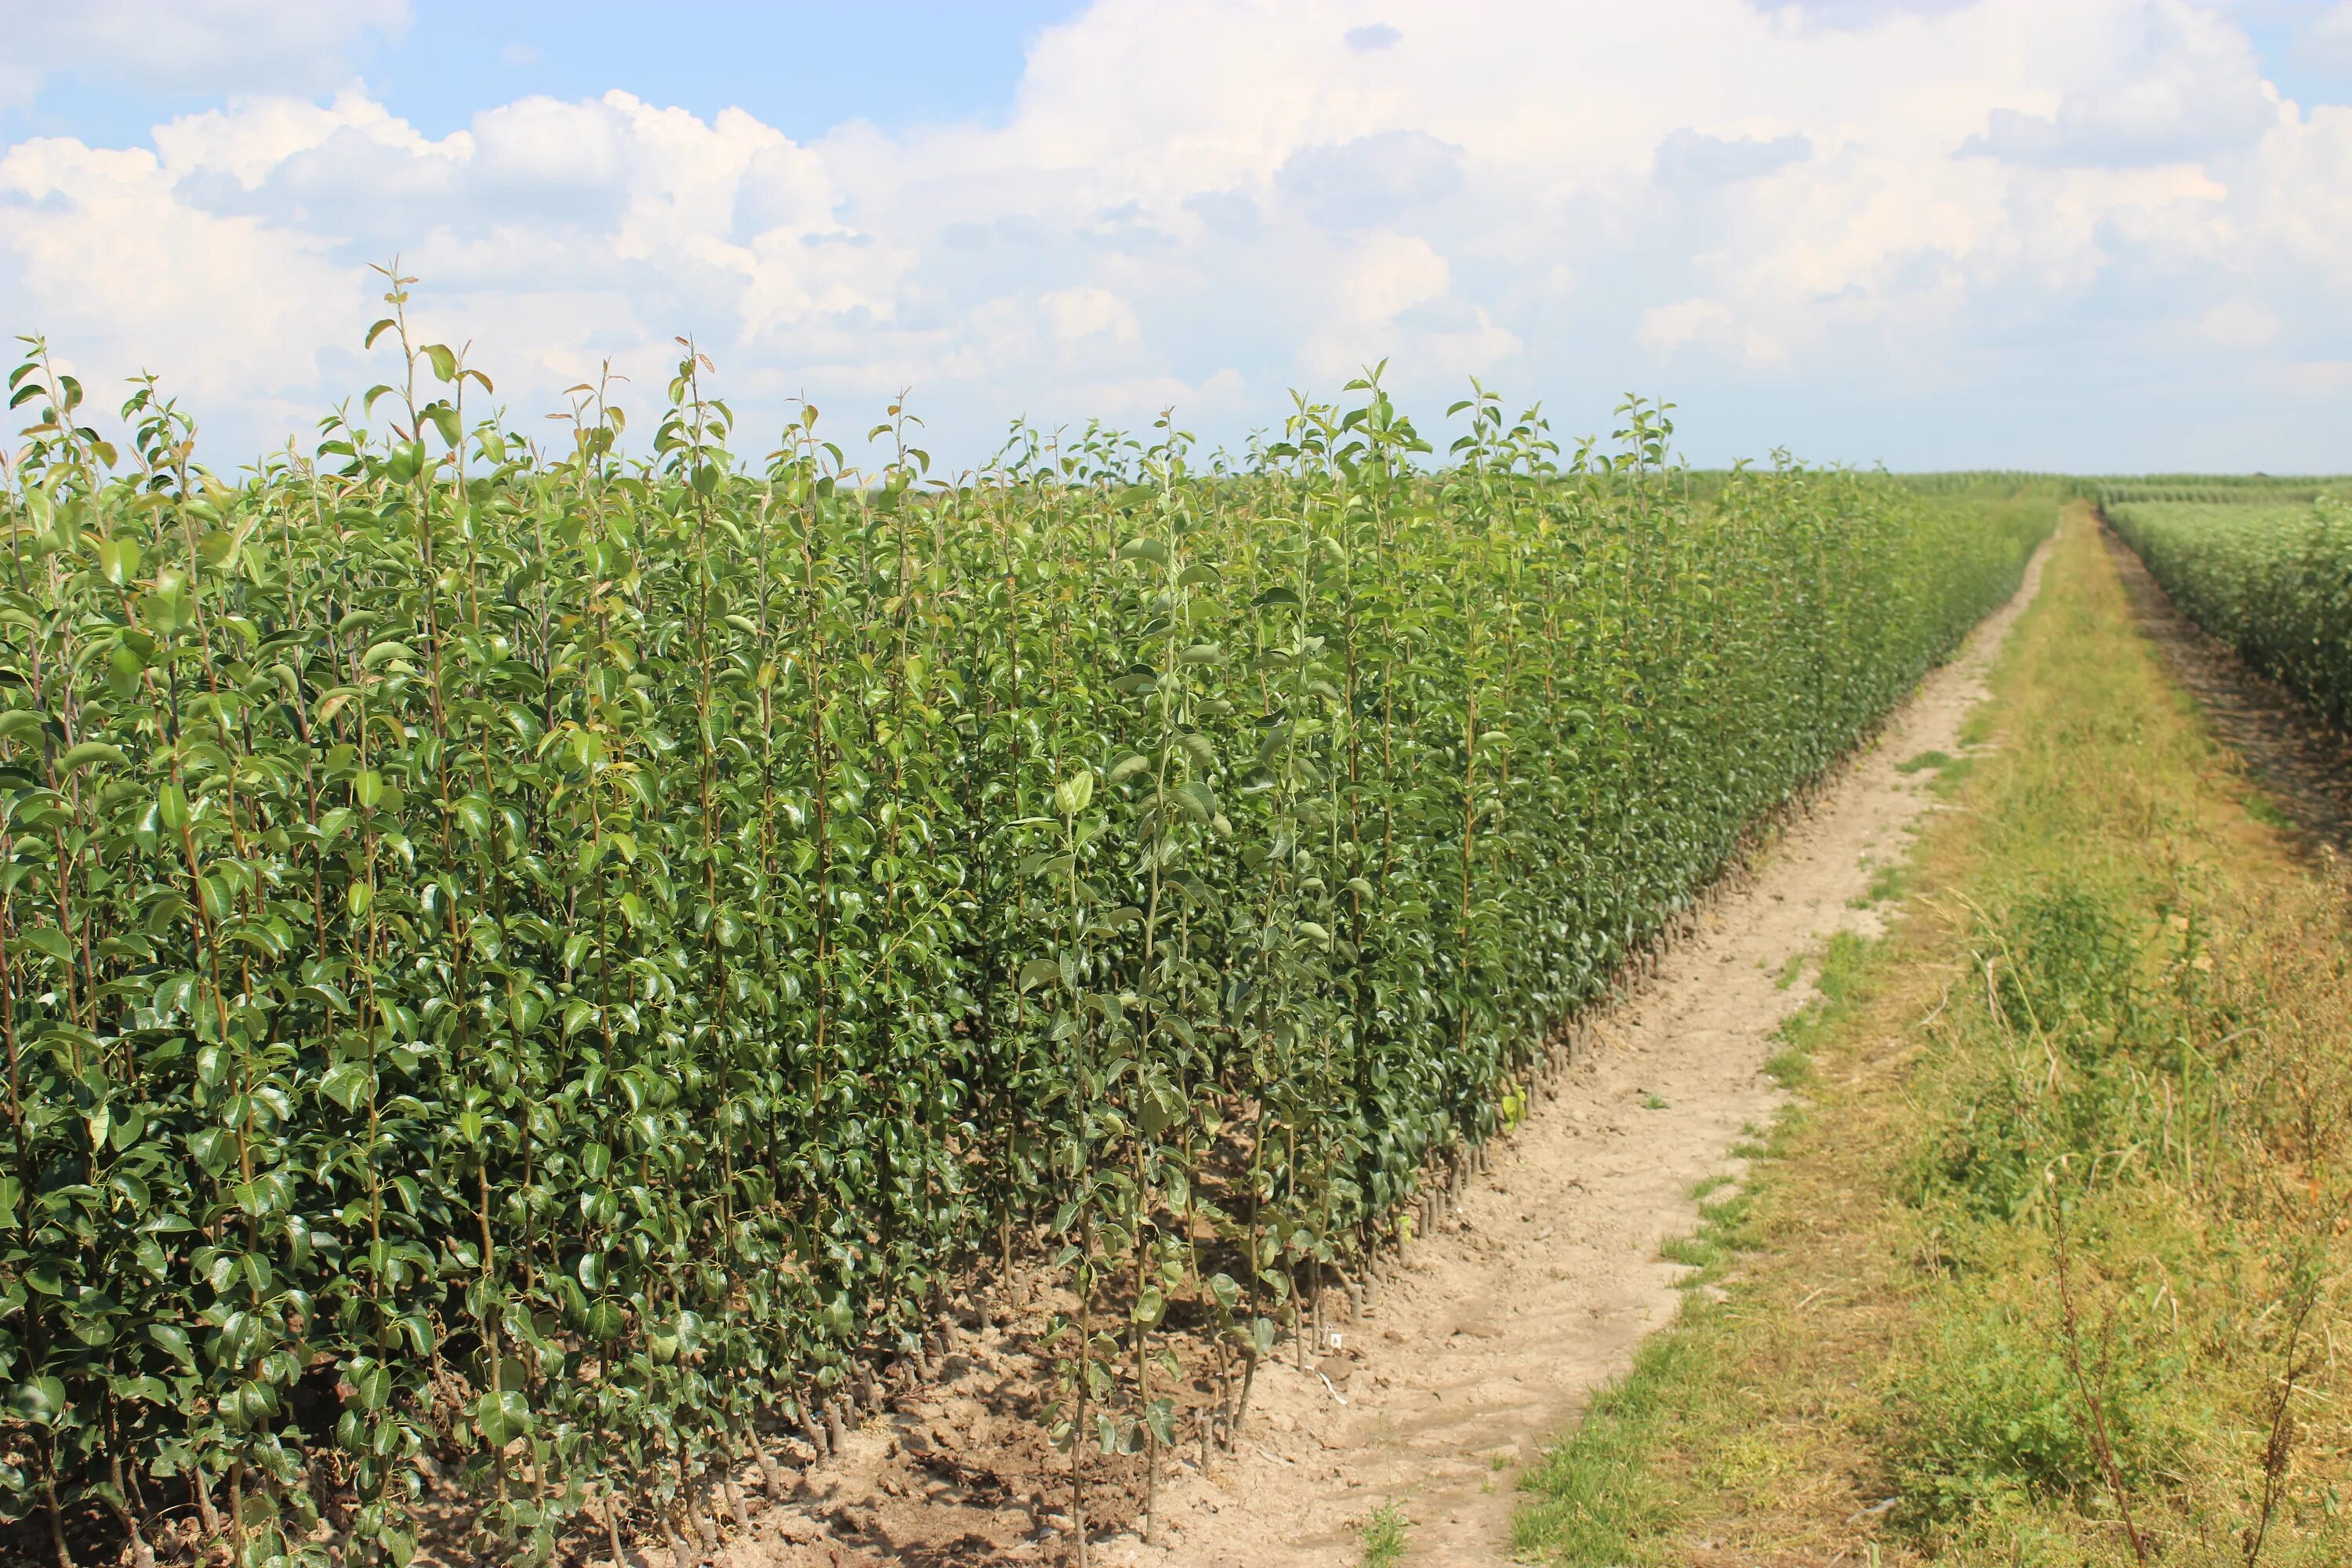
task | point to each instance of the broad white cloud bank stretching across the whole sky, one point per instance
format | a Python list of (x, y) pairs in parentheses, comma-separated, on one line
[(1208, 201)]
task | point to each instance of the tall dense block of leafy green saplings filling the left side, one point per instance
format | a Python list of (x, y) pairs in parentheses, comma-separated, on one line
[(549, 958)]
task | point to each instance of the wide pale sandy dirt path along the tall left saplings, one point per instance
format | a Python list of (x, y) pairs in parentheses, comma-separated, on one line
[(1537, 1289)]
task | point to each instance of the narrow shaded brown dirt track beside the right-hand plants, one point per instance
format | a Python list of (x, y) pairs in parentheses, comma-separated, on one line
[(2304, 765)]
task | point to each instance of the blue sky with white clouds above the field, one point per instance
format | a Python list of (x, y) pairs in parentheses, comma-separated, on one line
[(2094, 236)]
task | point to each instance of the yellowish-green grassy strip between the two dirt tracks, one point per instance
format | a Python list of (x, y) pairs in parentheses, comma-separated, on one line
[(2045, 1266)]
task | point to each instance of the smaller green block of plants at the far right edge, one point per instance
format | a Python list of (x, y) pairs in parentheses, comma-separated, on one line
[(2276, 582)]
